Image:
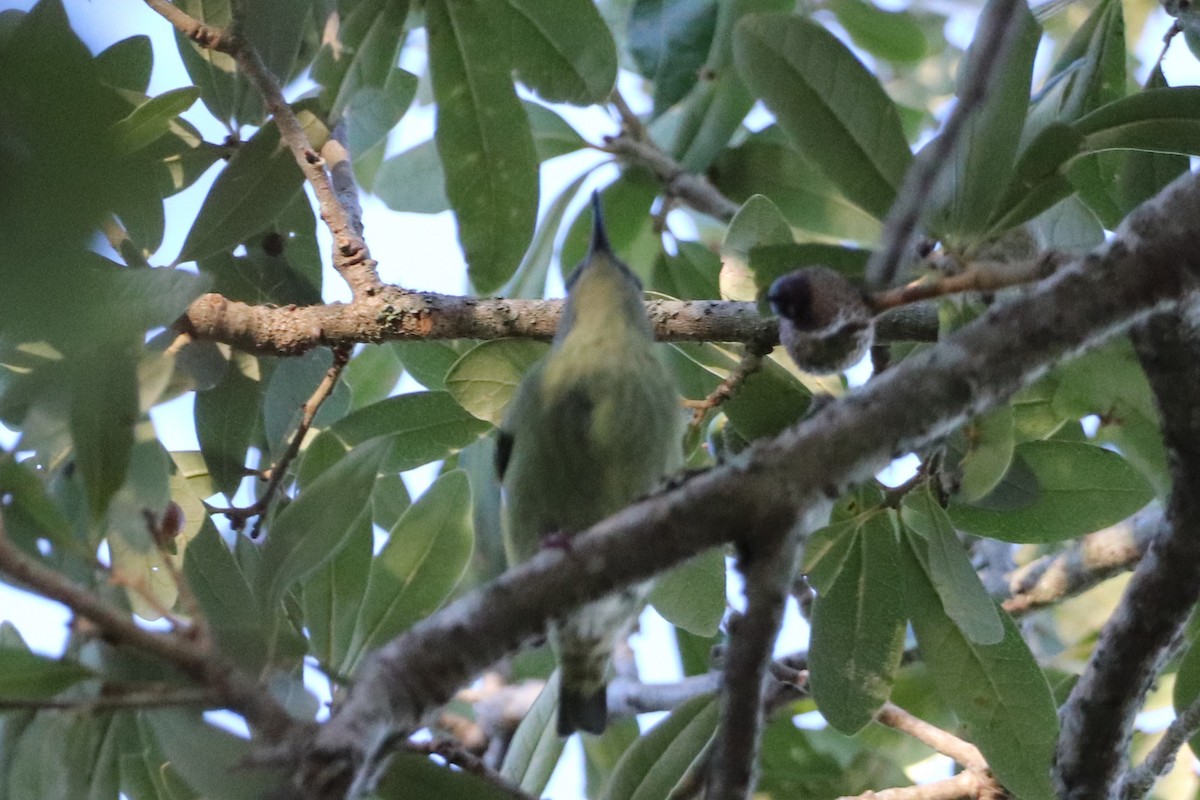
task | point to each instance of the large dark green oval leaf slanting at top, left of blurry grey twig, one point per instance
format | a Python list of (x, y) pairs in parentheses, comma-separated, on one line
[(831, 106)]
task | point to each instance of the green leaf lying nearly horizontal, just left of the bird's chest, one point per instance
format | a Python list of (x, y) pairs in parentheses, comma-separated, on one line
[(421, 428)]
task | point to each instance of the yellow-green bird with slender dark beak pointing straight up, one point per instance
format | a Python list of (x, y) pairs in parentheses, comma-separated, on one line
[(593, 426)]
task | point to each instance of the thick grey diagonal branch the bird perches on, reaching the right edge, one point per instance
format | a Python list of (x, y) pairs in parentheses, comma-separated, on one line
[(760, 494)]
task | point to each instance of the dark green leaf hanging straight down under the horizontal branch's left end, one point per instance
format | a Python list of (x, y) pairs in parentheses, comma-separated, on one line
[(226, 418)]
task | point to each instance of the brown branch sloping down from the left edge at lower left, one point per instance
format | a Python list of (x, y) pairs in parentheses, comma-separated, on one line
[(189, 653)]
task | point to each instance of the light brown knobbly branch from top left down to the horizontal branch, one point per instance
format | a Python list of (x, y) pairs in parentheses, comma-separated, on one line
[(352, 260)]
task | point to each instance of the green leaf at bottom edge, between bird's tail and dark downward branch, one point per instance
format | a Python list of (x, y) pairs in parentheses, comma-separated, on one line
[(653, 767)]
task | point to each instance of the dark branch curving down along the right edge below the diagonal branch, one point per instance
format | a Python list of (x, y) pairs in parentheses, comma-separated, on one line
[(1097, 719)]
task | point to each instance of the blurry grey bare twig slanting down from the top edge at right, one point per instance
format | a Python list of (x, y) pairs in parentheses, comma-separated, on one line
[(995, 38)]
